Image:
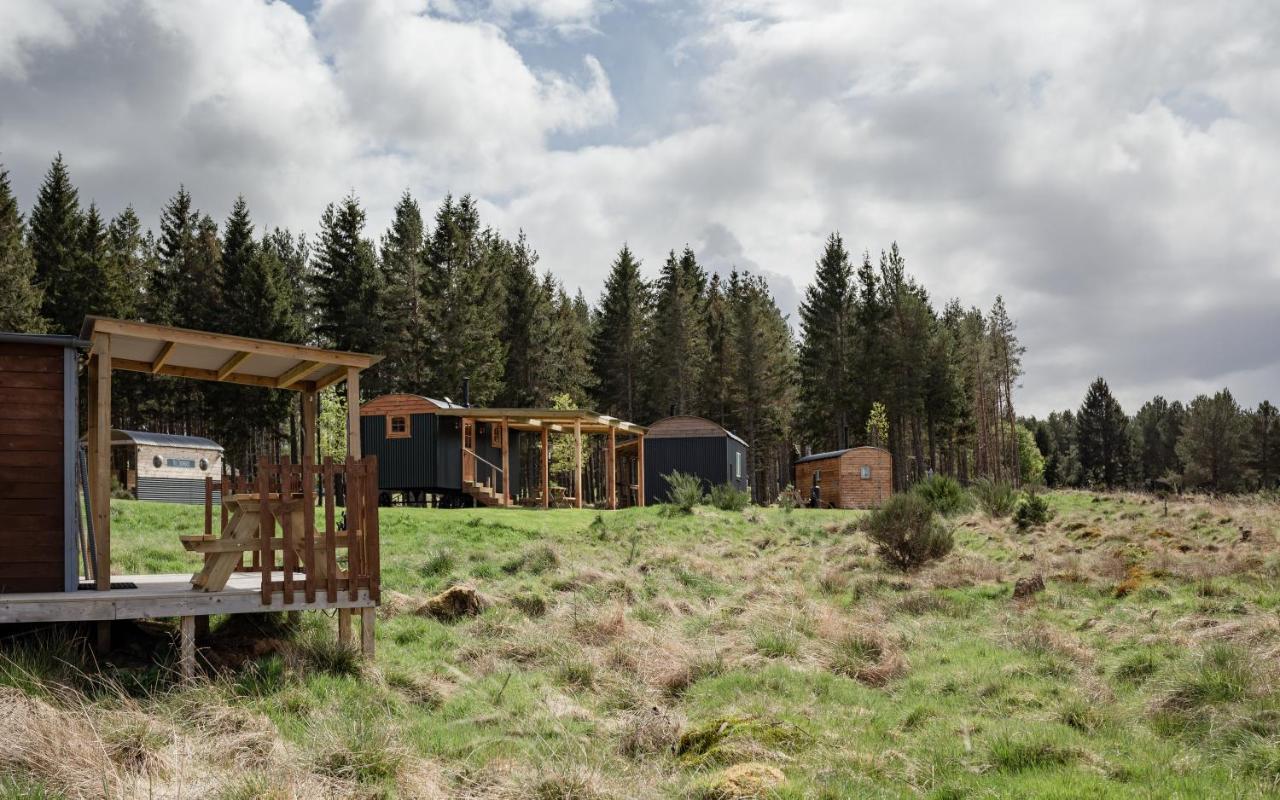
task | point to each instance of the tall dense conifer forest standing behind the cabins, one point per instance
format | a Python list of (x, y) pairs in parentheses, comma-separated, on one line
[(446, 298)]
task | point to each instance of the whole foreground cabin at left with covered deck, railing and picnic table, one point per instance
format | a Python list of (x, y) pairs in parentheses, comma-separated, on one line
[(262, 551)]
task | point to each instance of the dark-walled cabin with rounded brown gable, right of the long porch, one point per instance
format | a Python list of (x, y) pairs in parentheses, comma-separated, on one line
[(693, 446)]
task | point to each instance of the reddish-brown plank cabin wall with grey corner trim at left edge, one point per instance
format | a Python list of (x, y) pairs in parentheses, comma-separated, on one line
[(39, 419)]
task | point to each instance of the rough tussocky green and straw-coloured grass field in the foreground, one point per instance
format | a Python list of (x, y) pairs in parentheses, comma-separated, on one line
[(717, 655)]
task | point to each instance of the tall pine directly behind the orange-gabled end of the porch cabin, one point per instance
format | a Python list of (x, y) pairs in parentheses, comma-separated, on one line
[(404, 314)]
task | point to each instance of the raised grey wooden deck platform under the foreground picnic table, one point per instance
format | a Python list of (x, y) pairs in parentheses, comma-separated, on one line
[(166, 596)]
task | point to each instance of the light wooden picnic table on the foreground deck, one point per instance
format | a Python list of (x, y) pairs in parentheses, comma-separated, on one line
[(225, 554)]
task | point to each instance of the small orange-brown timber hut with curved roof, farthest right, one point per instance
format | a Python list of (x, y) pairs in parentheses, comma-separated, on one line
[(854, 478)]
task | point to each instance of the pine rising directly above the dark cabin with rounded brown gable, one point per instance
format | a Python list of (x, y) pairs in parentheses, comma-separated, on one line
[(678, 341)]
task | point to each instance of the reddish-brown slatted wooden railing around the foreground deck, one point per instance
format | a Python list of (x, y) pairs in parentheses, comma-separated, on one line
[(339, 555)]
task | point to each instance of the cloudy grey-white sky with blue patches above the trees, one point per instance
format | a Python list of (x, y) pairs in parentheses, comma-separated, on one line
[(1113, 168)]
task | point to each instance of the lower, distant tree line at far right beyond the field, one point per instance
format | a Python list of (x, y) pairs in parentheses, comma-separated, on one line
[(1209, 445)]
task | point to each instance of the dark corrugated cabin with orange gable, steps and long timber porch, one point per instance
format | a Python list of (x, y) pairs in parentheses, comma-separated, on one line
[(440, 454)]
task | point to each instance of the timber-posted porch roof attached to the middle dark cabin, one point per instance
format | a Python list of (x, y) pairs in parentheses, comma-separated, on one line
[(563, 422)]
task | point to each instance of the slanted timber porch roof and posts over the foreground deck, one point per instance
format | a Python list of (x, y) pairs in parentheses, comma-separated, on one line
[(161, 350)]
